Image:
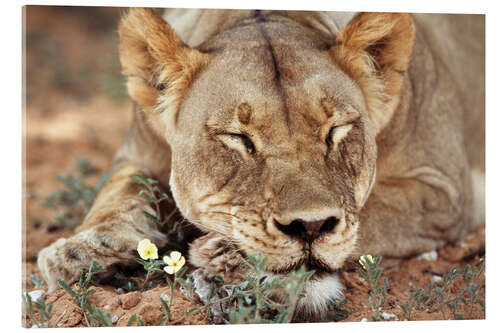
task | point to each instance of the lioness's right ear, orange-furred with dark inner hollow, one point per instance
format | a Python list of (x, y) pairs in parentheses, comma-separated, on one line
[(375, 50)]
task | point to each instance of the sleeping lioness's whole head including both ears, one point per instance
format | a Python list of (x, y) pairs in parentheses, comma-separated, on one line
[(272, 127)]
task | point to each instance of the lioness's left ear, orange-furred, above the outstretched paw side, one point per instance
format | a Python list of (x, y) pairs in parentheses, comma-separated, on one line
[(154, 58)]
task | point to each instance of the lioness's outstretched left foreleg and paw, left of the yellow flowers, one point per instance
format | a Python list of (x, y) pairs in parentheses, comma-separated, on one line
[(109, 233)]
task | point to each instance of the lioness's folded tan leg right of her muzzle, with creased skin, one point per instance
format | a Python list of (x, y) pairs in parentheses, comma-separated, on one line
[(407, 216)]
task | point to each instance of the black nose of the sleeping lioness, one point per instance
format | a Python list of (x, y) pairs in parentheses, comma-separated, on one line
[(308, 230)]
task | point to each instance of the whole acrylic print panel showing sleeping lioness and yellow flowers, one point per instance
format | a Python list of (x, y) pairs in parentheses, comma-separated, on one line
[(246, 166)]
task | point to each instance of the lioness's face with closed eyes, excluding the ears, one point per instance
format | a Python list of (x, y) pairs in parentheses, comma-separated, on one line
[(270, 149)]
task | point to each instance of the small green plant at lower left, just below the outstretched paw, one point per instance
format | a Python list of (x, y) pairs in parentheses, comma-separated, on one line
[(93, 315)]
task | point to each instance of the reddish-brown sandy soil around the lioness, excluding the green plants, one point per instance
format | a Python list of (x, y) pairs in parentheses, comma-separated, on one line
[(78, 117)]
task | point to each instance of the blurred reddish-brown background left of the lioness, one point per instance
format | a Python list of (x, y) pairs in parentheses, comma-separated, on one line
[(76, 115)]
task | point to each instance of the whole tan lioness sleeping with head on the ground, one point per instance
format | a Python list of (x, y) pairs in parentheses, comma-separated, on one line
[(311, 137)]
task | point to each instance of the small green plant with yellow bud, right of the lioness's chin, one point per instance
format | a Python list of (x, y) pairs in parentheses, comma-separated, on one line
[(370, 272)]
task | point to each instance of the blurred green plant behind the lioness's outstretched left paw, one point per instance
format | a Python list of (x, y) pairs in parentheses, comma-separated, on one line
[(73, 201)]
